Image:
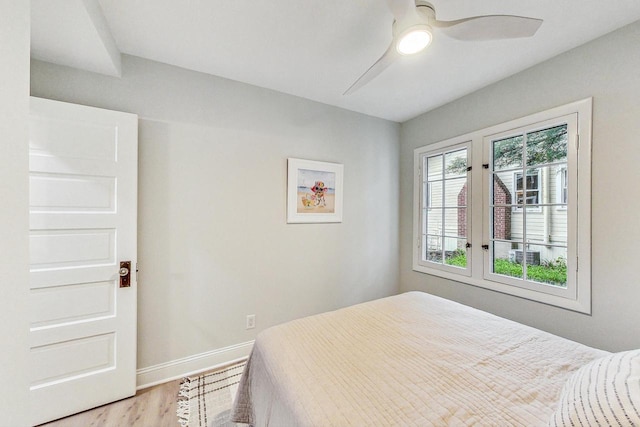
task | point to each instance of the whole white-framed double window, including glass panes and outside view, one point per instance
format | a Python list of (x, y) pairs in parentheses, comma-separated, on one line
[(498, 208)]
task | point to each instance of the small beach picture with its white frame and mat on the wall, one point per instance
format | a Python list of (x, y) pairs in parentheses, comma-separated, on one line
[(314, 191)]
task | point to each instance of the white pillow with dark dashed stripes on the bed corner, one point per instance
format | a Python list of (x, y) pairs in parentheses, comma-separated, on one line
[(604, 392)]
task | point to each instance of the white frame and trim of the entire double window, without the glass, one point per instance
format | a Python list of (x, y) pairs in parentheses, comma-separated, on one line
[(577, 295)]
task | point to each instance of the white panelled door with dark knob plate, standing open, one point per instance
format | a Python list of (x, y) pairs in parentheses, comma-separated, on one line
[(83, 214)]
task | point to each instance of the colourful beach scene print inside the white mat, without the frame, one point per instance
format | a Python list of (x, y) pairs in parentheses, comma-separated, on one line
[(316, 191)]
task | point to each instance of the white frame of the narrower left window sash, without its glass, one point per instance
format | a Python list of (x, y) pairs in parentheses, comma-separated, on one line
[(433, 150)]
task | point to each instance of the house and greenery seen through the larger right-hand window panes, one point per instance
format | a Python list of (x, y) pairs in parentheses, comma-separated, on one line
[(534, 245)]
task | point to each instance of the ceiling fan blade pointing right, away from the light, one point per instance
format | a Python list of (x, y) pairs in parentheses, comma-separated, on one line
[(490, 27)]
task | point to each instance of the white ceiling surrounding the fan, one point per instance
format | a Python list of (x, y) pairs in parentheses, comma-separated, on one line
[(315, 49)]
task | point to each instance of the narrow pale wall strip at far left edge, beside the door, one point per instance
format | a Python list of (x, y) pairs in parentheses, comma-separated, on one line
[(14, 212)]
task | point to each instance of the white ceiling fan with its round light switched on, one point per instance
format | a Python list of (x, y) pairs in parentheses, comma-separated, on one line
[(412, 32)]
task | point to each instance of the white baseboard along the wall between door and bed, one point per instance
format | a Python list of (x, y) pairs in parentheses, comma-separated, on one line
[(175, 369)]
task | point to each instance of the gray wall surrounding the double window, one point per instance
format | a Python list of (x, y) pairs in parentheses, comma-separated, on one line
[(606, 69)]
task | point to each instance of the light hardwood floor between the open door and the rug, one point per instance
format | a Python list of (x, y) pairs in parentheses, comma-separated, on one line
[(152, 407)]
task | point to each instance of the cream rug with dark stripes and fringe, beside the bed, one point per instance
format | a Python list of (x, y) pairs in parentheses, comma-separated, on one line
[(205, 400)]
